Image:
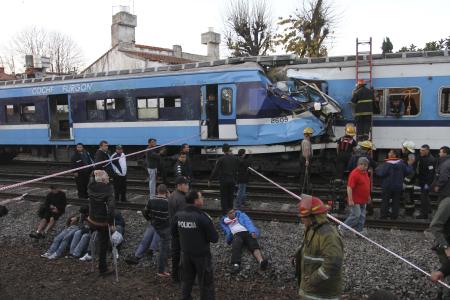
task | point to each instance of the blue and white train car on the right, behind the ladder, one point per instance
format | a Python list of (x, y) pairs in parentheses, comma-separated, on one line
[(422, 77)]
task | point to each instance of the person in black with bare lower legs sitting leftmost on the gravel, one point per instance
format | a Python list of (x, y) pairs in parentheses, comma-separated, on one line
[(49, 212)]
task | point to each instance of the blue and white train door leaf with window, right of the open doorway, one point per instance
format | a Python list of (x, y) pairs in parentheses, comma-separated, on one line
[(227, 112)]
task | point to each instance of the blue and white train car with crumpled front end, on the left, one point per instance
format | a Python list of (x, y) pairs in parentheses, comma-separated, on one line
[(167, 103)]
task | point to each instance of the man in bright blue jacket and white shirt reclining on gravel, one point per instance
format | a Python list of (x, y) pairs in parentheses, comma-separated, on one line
[(239, 232)]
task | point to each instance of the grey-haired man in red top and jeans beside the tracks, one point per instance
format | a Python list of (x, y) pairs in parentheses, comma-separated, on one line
[(358, 192)]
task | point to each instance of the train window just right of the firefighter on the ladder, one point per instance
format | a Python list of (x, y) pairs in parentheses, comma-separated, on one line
[(404, 101)]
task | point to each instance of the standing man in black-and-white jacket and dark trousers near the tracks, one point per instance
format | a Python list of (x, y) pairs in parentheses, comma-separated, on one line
[(119, 164)]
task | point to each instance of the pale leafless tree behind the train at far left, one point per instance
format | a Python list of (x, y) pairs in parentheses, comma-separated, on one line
[(65, 55)]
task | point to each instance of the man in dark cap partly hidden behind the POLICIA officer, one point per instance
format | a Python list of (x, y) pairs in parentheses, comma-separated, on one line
[(177, 202)]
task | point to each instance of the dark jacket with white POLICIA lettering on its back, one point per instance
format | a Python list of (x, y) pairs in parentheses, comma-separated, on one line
[(195, 230)]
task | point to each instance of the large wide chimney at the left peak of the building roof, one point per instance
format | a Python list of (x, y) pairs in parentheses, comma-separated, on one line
[(123, 28)]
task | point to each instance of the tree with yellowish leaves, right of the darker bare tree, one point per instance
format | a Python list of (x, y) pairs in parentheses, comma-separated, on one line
[(307, 29)]
